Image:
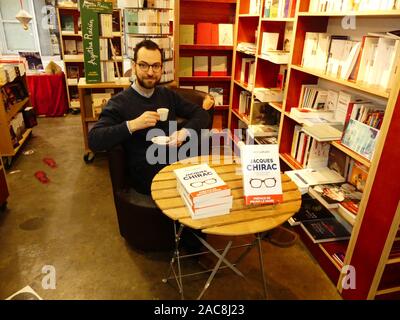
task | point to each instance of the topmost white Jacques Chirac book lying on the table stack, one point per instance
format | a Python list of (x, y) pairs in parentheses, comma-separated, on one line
[(201, 181)]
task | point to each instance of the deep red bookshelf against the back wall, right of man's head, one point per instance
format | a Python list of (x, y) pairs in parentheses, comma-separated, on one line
[(216, 12)]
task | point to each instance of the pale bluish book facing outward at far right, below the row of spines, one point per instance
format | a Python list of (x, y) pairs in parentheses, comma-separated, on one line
[(360, 138)]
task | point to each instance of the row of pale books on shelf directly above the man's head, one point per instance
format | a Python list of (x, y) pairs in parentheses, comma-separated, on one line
[(142, 21)]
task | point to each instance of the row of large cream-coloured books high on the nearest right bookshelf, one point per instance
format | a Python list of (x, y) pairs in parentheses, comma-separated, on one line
[(371, 61)]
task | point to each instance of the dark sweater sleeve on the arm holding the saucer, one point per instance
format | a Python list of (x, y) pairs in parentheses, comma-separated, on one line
[(198, 118)]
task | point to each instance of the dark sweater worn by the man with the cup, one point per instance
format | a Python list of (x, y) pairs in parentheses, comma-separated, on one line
[(111, 129)]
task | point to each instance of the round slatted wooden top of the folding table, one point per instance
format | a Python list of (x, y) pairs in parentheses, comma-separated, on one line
[(242, 219)]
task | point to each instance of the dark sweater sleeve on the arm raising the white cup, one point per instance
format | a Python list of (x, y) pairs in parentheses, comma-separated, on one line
[(111, 129)]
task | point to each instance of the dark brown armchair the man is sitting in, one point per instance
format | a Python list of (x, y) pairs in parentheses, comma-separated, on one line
[(140, 221)]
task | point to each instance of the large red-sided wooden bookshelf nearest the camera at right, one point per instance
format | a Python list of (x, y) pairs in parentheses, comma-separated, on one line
[(377, 224)]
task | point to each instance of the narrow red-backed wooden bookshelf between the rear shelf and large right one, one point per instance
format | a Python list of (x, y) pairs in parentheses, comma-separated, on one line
[(250, 29)]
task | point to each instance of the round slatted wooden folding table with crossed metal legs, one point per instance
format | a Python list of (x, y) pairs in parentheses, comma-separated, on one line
[(242, 220)]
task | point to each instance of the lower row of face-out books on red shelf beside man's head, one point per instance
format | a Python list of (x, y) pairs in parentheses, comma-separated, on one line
[(198, 66)]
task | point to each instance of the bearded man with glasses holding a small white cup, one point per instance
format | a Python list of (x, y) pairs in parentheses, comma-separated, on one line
[(130, 114)]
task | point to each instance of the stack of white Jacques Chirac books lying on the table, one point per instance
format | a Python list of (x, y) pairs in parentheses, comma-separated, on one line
[(203, 191)]
